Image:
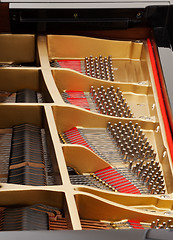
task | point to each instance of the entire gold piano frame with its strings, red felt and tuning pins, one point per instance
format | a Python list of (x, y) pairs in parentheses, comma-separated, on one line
[(104, 138)]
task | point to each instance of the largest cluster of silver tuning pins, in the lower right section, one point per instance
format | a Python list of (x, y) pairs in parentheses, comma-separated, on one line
[(138, 153)]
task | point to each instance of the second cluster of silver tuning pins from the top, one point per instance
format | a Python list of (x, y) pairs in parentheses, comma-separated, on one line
[(110, 102)]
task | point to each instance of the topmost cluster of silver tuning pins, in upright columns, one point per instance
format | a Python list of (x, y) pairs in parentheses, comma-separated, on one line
[(99, 67)]
